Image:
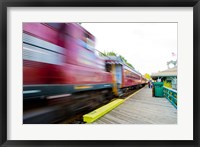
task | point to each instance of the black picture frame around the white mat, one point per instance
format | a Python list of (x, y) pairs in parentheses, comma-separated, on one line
[(4, 4)]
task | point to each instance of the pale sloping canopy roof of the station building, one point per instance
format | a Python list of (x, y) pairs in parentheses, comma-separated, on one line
[(172, 72)]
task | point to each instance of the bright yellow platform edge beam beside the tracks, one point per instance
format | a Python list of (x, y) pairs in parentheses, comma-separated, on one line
[(94, 115)]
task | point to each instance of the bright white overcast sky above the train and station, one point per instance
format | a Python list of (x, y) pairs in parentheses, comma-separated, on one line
[(147, 46)]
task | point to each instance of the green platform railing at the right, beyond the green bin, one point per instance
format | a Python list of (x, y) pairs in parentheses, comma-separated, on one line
[(171, 95)]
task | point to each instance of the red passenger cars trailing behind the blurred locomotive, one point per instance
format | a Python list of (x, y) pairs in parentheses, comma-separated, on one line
[(125, 77)]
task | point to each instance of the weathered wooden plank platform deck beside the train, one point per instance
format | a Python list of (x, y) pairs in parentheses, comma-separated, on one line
[(141, 108)]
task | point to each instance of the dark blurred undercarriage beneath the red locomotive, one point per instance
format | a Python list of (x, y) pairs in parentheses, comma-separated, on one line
[(49, 110)]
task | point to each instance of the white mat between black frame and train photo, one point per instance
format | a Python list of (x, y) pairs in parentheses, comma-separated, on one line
[(183, 130)]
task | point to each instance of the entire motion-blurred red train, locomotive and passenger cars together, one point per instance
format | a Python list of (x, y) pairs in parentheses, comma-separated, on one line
[(63, 75)]
